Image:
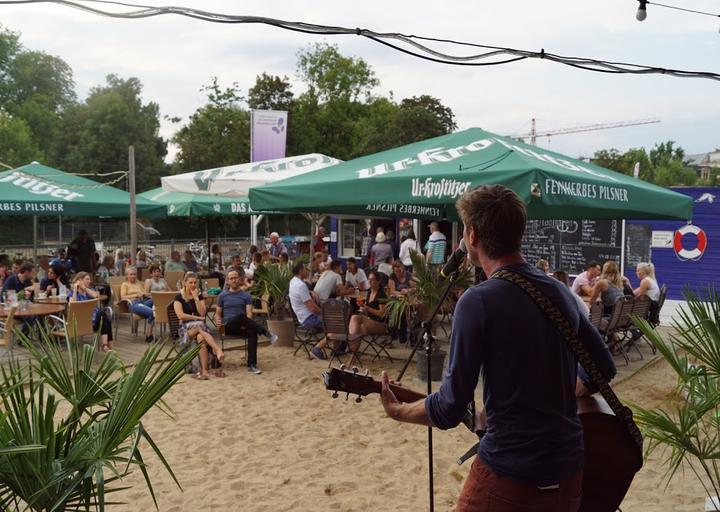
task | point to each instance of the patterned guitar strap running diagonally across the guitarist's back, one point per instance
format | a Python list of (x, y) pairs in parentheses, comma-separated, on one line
[(563, 325)]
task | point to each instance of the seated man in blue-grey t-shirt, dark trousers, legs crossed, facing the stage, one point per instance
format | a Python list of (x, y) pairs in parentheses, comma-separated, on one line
[(234, 312)]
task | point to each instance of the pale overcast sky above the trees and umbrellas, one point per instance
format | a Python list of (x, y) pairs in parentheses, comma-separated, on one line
[(174, 57)]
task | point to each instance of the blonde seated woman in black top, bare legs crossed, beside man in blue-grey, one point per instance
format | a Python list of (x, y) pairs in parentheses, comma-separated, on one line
[(190, 310)]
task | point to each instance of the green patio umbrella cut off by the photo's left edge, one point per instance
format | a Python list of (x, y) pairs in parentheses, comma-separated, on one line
[(36, 189)]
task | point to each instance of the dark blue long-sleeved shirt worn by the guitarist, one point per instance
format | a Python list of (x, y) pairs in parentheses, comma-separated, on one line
[(533, 431)]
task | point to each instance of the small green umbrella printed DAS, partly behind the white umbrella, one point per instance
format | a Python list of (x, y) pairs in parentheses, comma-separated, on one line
[(180, 204)]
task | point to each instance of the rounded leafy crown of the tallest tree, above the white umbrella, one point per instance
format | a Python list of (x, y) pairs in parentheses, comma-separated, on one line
[(331, 76)]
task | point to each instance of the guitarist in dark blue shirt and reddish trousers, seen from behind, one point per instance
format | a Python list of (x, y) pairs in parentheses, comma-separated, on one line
[(531, 456)]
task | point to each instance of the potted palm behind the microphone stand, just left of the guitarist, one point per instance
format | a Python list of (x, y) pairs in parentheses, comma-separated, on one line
[(419, 303)]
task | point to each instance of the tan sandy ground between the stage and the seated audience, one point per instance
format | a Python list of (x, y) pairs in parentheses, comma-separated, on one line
[(278, 441)]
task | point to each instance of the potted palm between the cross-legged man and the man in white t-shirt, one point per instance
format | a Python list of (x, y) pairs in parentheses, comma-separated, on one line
[(272, 284)]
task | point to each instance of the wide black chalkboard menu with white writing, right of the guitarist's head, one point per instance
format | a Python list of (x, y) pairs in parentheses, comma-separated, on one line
[(569, 244)]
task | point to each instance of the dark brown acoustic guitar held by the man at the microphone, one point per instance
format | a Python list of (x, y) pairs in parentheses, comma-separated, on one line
[(611, 455)]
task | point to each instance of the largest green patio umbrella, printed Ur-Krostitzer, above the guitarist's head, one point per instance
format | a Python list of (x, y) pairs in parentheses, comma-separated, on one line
[(424, 179)]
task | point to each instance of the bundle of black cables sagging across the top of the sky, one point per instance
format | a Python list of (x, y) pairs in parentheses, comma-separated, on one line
[(416, 46)]
